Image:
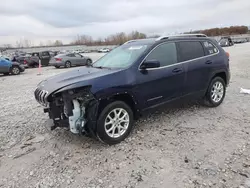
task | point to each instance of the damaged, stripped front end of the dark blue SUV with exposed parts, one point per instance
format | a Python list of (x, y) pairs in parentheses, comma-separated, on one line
[(73, 109)]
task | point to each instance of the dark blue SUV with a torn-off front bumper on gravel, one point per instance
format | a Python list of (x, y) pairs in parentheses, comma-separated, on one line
[(103, 99)]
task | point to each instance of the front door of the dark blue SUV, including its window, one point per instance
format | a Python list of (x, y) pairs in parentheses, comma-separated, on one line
[(158, 85)]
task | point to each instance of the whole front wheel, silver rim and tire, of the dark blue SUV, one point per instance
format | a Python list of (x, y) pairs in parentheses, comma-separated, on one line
[(115, 123)]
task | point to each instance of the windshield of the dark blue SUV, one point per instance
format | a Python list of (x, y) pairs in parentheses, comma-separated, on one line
[(121, 57)]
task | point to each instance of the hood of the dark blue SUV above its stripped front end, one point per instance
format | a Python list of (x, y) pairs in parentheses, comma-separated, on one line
[(83, 74)]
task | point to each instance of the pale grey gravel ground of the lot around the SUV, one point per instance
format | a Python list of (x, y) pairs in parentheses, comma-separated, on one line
[(180, 146)]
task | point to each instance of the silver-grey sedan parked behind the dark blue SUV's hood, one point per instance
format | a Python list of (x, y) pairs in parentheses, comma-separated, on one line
[(69, 60)]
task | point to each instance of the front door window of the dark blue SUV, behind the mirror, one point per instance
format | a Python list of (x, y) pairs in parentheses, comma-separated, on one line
[(166, 54)]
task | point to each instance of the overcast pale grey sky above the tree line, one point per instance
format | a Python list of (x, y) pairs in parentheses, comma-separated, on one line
[(43, 20)]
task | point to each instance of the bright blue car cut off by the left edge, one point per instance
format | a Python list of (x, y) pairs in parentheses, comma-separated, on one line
[(9, 67)]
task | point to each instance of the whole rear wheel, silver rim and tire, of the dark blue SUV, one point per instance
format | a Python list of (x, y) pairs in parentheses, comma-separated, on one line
[(215, 93)]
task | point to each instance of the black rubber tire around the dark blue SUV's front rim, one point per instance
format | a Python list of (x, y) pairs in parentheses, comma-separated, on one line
[(101, 132)]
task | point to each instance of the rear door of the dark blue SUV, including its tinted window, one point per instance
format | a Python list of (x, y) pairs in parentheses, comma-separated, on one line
[(192, 55)]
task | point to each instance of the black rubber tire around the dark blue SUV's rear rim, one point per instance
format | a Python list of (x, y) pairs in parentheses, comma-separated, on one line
[(208, 99)]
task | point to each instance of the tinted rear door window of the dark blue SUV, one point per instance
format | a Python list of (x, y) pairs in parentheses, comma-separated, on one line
[(190, 50)]
